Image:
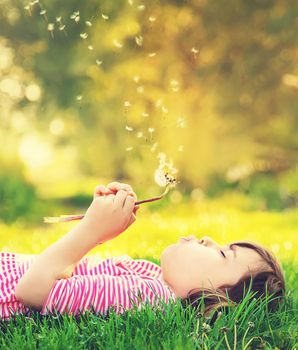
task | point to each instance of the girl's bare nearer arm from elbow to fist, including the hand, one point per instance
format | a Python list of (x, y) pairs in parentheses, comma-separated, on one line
[(105, 219)]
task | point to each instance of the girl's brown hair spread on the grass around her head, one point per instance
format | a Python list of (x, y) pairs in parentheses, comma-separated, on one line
[(268, 281)]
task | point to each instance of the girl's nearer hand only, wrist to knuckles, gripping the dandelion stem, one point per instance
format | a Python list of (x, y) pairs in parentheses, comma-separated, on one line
[(110, 215)]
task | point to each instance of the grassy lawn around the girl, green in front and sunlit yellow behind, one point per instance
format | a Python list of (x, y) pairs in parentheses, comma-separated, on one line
[(247, 326)]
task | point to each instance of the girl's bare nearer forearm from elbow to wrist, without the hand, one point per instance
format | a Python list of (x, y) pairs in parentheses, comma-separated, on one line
[(55, 262)]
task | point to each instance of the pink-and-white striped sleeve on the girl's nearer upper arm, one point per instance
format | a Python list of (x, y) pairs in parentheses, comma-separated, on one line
[(99, 293)]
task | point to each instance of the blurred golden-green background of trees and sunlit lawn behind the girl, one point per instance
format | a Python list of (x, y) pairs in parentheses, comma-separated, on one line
[(94, 91)]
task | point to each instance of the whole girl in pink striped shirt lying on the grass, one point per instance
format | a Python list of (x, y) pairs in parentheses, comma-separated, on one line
[(62, 279)]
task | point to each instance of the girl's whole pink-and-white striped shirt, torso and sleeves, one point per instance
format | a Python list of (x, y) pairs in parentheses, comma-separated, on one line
[(95, 284)]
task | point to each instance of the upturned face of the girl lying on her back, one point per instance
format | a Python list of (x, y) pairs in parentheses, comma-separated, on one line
[(202, 263)]
